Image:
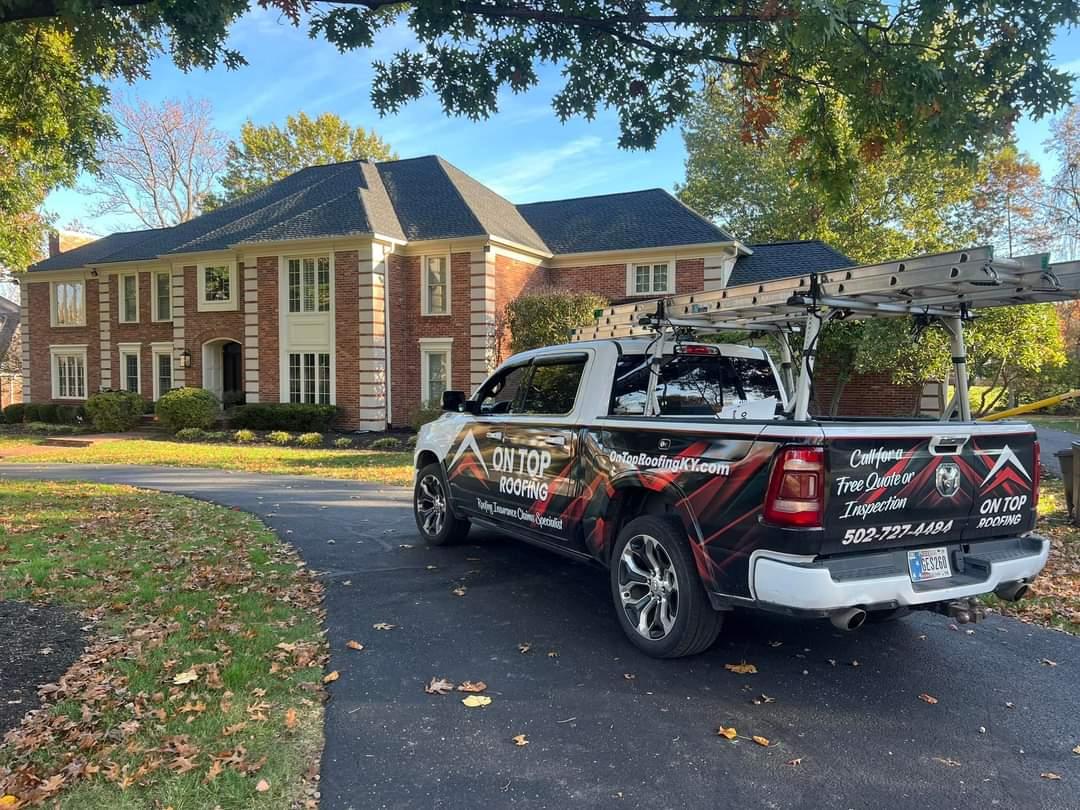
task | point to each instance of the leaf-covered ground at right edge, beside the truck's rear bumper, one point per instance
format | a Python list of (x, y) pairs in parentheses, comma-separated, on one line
[(1056, 600)]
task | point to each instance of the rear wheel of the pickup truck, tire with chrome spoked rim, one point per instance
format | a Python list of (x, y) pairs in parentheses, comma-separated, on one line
[(660, 552)]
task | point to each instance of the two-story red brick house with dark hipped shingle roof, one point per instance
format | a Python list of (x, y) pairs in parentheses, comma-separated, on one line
[(373, 287)]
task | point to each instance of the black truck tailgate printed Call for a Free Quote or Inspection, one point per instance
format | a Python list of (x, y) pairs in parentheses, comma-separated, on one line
[(926, 484)]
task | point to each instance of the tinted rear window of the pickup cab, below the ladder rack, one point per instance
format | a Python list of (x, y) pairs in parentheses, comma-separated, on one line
[(693, 385)]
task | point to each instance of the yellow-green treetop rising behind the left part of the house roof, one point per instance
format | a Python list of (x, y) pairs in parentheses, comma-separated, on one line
[(267, 154)]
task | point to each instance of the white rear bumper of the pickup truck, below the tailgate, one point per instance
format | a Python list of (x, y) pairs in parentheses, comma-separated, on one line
[(881, 579)]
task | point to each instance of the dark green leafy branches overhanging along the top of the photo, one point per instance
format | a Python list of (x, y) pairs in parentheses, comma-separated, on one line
[(941, 77)]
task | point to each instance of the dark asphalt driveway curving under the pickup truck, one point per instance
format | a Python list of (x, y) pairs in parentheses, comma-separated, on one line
[(609, 727)]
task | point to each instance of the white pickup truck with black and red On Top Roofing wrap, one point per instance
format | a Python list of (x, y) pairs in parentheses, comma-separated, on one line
[(720, 501)]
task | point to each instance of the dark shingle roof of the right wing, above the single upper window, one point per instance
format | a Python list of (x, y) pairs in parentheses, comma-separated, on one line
[(651, 219)]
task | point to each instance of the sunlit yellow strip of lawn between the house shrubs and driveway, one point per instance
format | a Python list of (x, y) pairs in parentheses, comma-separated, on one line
[(371, 466)]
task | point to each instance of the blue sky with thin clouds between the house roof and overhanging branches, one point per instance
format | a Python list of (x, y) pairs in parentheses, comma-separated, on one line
[(523, 152)]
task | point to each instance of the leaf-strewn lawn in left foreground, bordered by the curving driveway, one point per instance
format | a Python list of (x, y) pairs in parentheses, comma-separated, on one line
[(202, 684)]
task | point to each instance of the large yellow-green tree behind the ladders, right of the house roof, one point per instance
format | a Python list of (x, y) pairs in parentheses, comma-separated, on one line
[(760, 188)]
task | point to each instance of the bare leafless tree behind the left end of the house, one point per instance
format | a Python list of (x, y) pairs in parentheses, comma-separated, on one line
[(164, 166)]
